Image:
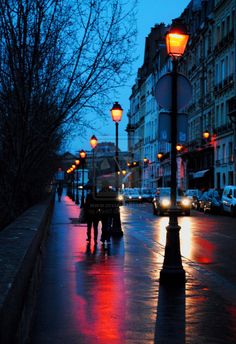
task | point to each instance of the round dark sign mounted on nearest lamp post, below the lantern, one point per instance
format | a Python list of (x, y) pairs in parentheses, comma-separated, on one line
[(163, 91)]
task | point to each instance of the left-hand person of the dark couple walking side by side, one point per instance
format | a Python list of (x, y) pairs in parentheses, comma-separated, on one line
[(91, 215)]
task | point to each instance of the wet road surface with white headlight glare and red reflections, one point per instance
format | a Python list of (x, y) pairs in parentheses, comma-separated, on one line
[(207, 241)]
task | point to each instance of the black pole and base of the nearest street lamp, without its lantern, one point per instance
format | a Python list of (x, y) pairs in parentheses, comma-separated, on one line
[(172, 271)]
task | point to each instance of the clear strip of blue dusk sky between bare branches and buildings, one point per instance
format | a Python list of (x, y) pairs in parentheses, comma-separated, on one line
[(150, 12)]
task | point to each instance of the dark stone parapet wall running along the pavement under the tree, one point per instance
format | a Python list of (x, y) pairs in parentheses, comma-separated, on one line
[(21, 245)]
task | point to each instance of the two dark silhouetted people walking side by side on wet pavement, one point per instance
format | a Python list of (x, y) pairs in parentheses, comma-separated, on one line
[(100, 207)]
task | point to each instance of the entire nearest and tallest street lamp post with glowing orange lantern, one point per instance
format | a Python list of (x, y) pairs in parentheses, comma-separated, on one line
[(172, 270)]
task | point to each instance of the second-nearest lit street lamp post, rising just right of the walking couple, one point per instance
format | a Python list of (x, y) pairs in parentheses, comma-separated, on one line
[(116, 114)]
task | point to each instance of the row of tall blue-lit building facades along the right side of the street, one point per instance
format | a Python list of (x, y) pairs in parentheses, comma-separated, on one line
[(210, 64)]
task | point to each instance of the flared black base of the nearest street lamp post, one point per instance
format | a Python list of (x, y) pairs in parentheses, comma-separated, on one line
[(172, 271)]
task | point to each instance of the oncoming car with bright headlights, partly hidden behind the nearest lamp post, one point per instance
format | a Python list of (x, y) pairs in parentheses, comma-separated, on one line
[(162, 202)]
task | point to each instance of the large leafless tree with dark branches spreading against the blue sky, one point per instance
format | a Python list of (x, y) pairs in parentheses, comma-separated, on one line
[(58, 58)]
